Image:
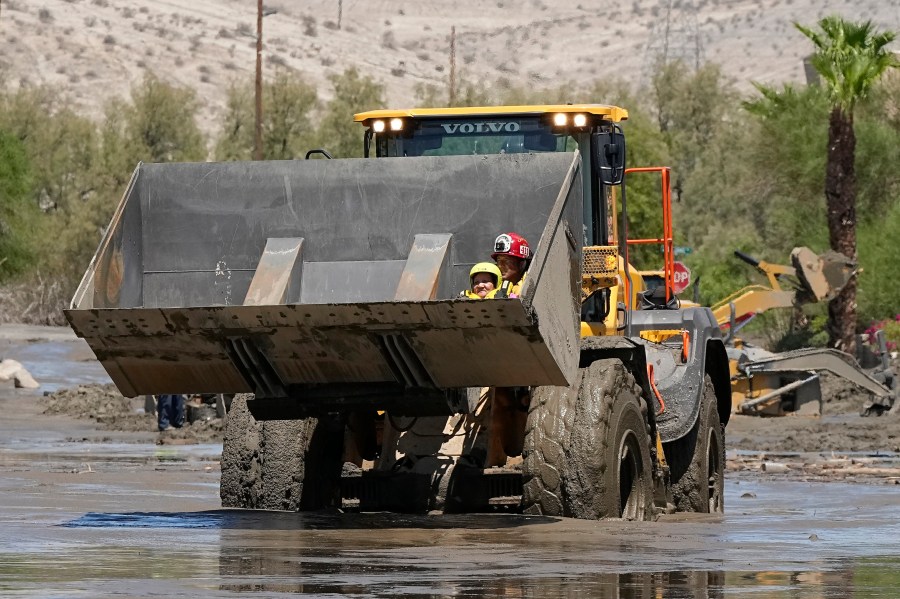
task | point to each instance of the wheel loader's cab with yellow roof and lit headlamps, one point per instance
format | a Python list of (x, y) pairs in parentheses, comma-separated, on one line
[(592, 129)]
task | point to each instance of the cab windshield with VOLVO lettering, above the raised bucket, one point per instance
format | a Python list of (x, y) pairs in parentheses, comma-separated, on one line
[(449, 137)]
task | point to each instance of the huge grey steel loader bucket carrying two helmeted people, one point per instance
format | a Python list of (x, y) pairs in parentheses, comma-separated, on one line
[(334, 279)]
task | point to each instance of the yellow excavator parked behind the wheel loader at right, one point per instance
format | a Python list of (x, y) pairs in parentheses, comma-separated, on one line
[(773, 384)]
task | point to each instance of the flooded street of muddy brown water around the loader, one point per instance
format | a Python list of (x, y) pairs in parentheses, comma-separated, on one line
[(85, 518)]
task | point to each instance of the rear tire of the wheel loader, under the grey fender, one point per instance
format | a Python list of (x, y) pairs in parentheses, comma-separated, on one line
[(697, 460)]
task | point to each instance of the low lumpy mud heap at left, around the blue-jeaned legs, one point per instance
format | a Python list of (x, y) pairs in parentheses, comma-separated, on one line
[(106, 406)]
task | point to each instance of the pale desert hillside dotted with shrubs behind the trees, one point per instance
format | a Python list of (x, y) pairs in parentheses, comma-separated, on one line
[(96, 49)]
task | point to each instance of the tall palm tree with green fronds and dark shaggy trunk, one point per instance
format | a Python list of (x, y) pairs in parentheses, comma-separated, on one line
[(850, 58)]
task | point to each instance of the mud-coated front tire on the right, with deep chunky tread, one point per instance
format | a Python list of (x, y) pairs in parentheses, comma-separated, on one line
[(587, 453)]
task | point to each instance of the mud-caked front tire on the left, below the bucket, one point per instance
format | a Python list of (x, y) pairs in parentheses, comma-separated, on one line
[(279, 464)]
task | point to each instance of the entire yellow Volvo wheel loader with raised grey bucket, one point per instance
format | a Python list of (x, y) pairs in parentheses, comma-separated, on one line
[(325, 295)]
